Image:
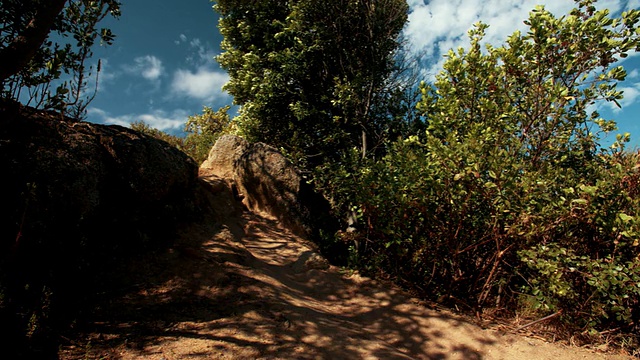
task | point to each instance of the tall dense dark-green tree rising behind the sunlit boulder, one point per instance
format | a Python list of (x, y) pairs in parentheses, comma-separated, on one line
[(309, 75)]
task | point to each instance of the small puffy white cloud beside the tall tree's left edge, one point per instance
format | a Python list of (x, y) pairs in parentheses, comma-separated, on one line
[(203, 84)]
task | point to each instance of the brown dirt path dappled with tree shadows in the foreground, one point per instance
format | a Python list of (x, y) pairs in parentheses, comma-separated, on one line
[(248, 289)]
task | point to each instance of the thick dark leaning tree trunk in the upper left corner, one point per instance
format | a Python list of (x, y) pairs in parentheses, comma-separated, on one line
[(17, 54)]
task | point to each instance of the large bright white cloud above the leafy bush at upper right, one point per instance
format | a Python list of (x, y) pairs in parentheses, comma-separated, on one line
[(435, 26)]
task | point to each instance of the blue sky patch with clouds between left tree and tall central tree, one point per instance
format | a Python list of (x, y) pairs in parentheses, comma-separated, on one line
[(160, 69)]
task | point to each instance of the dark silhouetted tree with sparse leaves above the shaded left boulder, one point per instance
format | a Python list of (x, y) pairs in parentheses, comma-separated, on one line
[(34, 61)]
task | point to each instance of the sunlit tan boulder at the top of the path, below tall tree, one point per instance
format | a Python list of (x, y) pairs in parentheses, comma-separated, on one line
[(267, 182)]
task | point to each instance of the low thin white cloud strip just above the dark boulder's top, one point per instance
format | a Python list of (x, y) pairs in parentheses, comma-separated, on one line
[(159, 119)]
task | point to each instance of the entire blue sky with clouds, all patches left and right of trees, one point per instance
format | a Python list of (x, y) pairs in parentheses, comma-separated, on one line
[(161, 69)]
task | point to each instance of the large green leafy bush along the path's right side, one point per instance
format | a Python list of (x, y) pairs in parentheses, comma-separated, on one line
[(508, 195)]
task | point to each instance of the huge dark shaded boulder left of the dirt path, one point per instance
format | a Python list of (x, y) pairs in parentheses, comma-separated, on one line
[(77, 197)]
